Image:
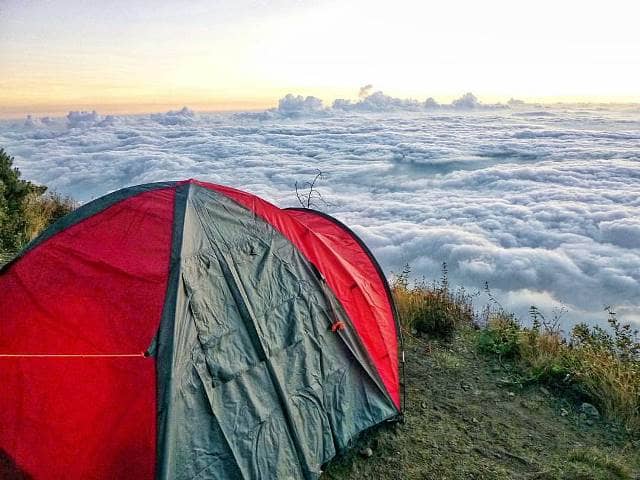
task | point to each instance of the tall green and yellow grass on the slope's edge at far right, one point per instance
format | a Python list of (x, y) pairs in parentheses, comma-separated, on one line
[(594, 365)]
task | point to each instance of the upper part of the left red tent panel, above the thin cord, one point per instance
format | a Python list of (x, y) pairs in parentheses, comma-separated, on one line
[(95, 287)]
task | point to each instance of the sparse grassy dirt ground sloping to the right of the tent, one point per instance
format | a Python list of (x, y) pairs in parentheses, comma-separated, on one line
[(465, 420)]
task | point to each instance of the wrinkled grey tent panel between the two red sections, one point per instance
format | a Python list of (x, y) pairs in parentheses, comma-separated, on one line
[(253, 383)]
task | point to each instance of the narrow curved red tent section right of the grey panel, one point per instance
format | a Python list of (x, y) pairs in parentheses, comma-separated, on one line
[(349, 271)]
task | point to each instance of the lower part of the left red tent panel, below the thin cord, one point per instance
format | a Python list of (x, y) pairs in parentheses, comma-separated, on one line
[(89, 418)]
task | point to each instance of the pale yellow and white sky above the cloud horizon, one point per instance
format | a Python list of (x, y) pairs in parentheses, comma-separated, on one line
[(141, 56)]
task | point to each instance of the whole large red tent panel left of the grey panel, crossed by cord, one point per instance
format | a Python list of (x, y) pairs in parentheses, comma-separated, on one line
[(95, 288)]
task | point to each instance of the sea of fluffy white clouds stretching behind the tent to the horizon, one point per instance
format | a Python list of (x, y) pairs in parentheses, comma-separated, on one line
[(541, 202)]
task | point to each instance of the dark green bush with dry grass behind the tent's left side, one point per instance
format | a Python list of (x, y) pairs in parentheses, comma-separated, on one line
[(25, 209)]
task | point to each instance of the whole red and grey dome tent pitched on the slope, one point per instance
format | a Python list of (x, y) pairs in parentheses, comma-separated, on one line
[(185, 330)]
